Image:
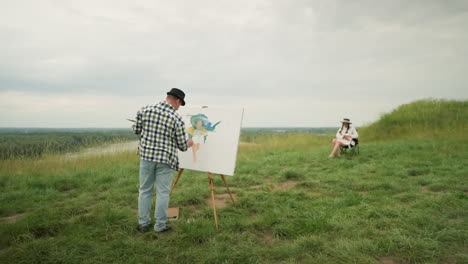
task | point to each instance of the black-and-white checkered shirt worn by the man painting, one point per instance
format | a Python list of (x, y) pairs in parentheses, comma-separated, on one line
[(161, 131)]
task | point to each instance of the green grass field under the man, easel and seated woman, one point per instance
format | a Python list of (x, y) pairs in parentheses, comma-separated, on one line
[(400, 201)]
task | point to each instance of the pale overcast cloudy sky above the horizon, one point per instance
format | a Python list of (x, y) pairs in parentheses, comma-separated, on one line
[(287, 63)]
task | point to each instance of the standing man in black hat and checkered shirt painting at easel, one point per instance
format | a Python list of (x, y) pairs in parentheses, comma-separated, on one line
[(162, 132)]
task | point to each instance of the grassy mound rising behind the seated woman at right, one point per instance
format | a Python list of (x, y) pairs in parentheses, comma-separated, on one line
[(421, 119)]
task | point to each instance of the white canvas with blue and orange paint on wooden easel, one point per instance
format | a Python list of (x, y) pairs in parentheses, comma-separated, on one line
[(216, 151)]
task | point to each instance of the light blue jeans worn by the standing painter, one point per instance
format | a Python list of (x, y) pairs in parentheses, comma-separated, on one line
[(151, 173)]
